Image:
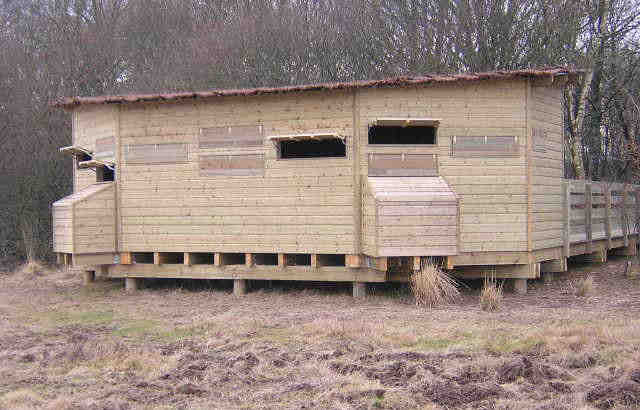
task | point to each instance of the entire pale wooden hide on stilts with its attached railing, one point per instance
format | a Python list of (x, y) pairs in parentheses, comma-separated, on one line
[(335, 182)]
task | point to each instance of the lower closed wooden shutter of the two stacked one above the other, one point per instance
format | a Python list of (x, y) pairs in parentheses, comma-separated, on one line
[(216, 165)]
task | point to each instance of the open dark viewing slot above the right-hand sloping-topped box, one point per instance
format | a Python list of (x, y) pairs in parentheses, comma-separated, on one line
[(403, 131)]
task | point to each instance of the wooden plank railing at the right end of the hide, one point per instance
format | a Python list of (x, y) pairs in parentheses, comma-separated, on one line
[(599, 211)]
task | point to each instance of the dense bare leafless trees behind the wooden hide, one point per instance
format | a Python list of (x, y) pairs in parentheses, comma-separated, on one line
[(55, 48)]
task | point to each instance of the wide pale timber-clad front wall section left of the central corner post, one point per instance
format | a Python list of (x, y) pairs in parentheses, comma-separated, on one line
[(233, 194)]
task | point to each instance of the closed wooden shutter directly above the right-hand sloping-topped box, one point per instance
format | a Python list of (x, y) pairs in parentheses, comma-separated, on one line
[(402, 165)]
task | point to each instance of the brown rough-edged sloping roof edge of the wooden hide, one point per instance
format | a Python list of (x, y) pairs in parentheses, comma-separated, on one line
[(71, 102)]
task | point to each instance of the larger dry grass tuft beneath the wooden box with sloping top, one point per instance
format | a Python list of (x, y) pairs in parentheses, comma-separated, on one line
[(431, 286)]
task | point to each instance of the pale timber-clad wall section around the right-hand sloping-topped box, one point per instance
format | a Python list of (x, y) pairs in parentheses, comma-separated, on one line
[(491, 188)]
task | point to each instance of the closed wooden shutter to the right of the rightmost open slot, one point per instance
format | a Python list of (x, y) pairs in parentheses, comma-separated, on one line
[(484, 146)]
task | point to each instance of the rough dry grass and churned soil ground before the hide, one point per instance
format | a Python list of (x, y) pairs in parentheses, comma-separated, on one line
[(195, 345)]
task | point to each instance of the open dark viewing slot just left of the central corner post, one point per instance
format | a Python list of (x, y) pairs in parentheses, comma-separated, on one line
[(310, 146)]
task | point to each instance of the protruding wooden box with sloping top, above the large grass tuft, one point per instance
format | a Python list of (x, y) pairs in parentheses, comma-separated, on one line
[(410, 216)]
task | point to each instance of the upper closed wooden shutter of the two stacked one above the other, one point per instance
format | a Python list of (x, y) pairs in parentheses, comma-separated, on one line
[(230, 136)]
